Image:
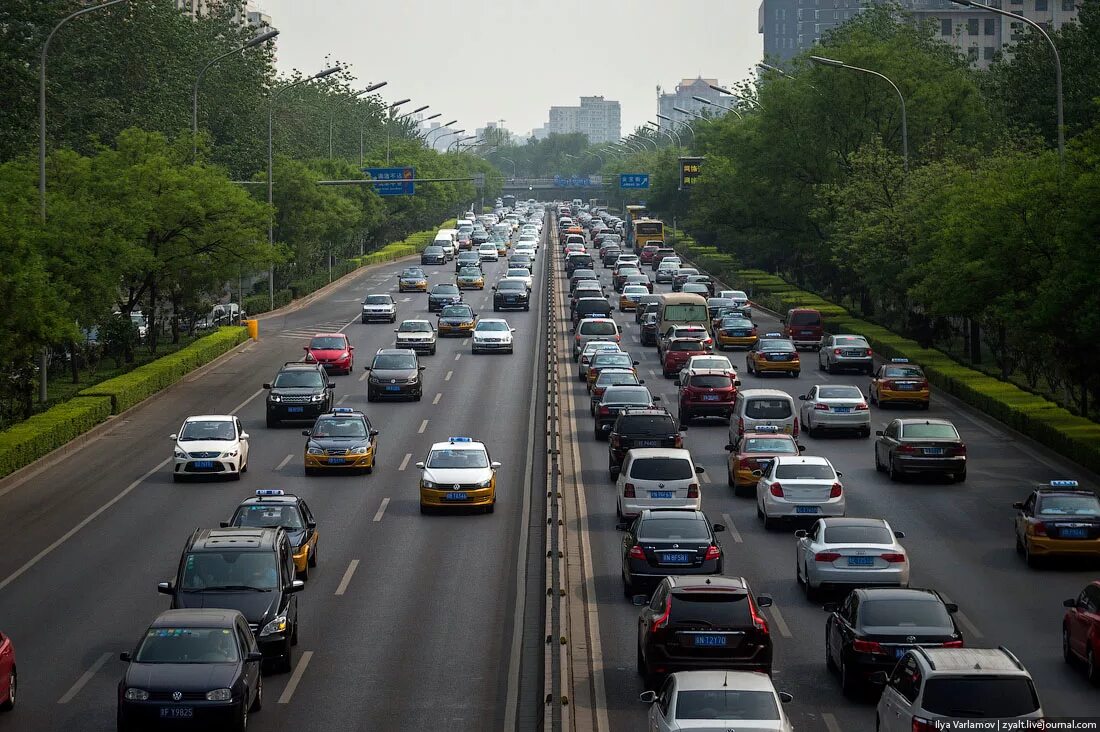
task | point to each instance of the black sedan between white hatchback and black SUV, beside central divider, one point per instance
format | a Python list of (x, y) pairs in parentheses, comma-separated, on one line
[(663, 543)]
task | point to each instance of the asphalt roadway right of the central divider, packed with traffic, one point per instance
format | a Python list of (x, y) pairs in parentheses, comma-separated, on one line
[(960, 539)]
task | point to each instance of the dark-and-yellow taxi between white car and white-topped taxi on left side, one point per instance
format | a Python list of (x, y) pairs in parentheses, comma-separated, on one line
[(342, 440)]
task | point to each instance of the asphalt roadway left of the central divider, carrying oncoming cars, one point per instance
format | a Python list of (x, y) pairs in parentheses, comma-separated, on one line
[(409, 621)]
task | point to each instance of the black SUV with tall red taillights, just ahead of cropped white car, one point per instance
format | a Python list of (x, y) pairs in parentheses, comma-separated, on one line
[(697, 624)]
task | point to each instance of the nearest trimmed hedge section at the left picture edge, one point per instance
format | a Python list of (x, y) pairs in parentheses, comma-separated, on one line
[(48, 431)]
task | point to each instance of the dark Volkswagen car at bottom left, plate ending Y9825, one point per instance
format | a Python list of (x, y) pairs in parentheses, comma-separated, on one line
[(197, 668)]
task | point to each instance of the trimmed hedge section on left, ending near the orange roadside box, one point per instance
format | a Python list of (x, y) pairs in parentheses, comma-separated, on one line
[(145, 381)]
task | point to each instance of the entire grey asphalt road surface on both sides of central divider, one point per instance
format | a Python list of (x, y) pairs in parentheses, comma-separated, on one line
[(435, 622)]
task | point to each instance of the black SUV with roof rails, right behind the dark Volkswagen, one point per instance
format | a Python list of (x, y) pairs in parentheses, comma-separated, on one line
[(247, 570)]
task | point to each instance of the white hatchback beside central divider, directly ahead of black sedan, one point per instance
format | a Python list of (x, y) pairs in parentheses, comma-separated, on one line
[(658, 478)]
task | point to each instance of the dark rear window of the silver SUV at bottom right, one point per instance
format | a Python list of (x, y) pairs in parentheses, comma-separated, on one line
[(981, 697)]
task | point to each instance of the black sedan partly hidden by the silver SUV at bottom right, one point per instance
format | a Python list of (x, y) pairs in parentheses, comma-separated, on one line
[(875, 627)]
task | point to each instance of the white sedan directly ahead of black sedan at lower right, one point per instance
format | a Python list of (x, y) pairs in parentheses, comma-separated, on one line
[(843, 553)]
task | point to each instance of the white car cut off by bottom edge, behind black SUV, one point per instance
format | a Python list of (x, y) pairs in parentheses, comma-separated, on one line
[(718, 701)]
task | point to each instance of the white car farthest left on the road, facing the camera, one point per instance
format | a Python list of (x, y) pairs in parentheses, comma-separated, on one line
[(211, 445)]
